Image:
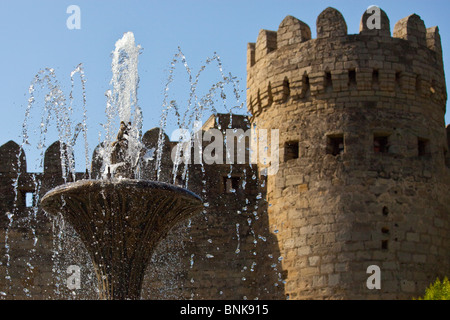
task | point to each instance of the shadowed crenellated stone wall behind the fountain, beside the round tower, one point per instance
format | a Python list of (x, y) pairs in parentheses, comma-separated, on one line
[(226, 252)]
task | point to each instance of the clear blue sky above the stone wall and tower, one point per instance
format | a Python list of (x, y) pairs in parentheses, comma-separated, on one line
[(34, 36)]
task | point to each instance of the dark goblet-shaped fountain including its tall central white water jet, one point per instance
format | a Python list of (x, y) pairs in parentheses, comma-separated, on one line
[(121, 219)]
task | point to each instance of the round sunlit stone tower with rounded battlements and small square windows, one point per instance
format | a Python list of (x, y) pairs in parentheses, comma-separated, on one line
[(363, 177)]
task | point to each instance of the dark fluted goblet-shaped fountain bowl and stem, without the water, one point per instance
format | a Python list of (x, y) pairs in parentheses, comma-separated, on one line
[(121, 221)]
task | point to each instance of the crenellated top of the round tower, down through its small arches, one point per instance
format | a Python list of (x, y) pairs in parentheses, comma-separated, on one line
[(288, 63)]
